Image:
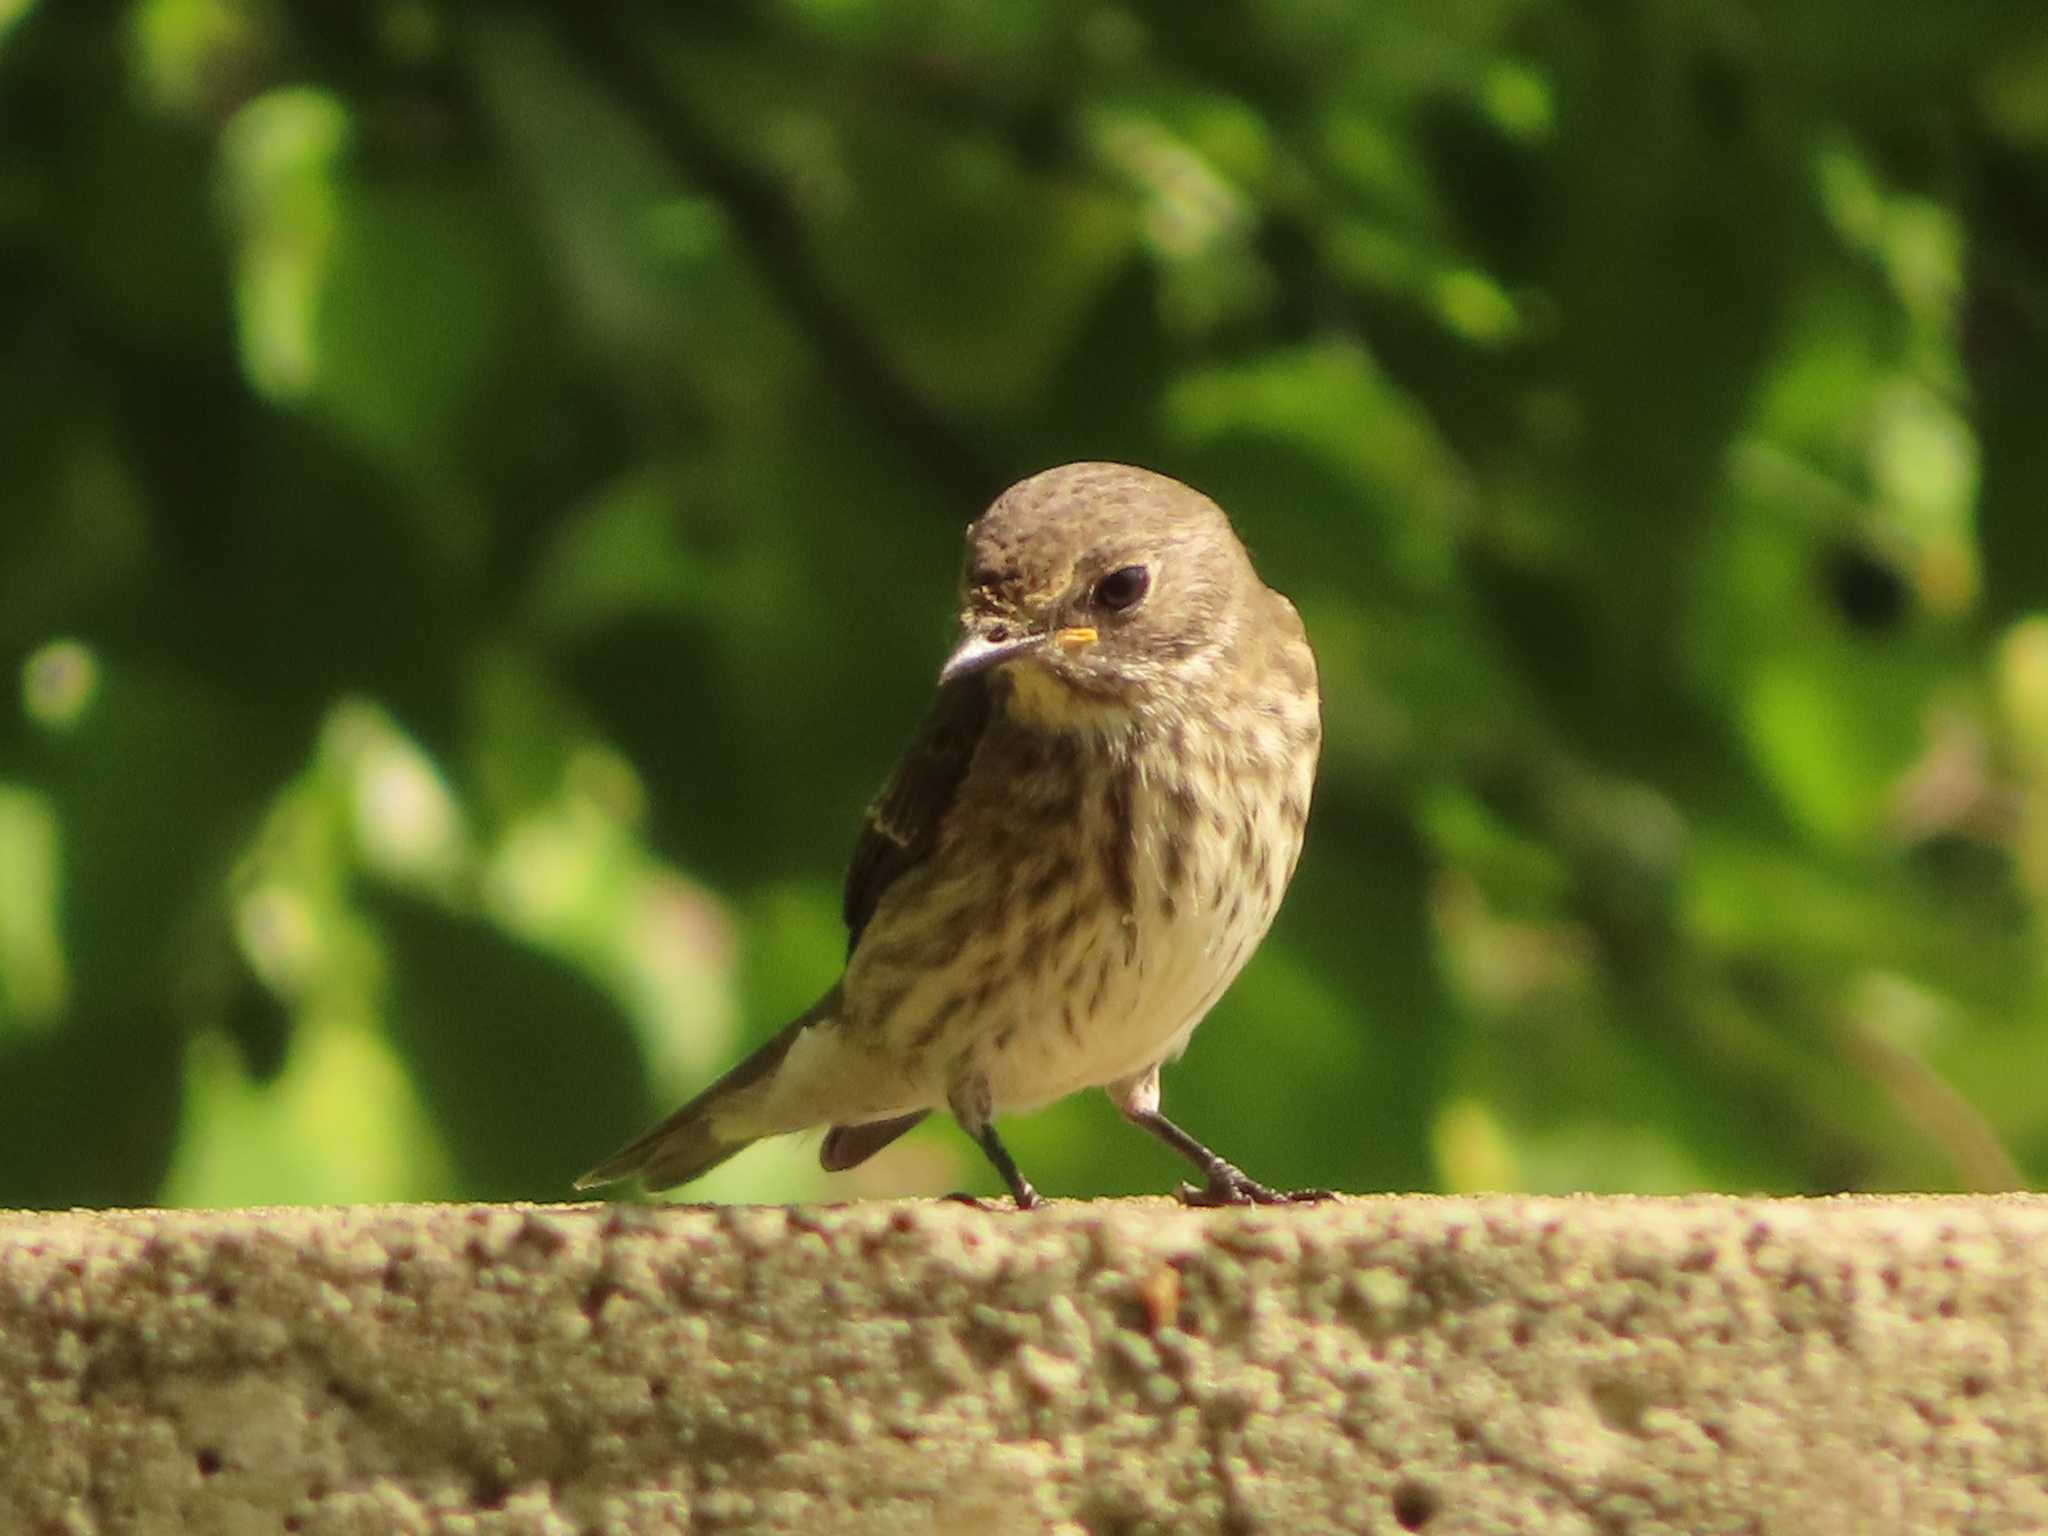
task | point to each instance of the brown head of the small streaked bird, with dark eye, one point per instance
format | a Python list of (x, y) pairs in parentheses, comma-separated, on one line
[(1097, 591)]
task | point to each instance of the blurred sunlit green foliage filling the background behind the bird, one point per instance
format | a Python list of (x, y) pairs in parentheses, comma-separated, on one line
[(482, 490)]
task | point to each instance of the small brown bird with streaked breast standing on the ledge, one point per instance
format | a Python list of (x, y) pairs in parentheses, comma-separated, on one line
[(1074, 857)]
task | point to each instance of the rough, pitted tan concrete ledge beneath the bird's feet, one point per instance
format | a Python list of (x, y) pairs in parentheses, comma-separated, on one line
[(1373, 1365)]
